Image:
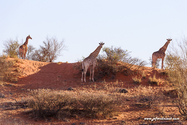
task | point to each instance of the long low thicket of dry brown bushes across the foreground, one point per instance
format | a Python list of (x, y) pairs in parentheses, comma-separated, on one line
[(46, 102)]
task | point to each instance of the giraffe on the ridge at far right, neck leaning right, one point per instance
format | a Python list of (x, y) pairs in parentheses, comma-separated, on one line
[(160, 54)]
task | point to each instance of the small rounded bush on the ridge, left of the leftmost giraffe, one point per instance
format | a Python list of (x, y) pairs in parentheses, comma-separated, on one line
[(11, 47)]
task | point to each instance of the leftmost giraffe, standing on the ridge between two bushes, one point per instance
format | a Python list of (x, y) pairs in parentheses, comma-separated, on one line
[(23, 48)]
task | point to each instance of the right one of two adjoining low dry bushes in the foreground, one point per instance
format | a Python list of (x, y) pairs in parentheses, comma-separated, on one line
[(98, 104)]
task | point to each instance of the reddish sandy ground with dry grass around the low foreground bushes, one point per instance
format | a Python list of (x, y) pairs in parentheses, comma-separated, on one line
[(143, 100)]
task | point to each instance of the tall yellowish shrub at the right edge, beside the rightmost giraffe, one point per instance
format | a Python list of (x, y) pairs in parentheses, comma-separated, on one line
[(176, 62)]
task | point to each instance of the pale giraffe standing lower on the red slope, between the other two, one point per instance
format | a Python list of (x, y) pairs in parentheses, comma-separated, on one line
[(90, 61)]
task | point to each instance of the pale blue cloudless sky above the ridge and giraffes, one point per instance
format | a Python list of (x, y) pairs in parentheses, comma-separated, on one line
[(139, 26)]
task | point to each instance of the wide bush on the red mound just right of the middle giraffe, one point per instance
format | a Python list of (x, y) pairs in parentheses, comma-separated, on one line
[(117, 60)]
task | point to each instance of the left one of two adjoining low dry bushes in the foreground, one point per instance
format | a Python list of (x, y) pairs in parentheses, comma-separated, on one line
[(45, 102)]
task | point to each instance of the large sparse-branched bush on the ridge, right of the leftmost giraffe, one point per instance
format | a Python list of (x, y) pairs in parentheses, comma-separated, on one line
[(50, 51)]
